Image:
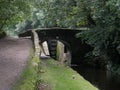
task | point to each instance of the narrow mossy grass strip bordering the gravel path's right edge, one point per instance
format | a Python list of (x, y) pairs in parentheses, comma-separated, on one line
[(29, 76)]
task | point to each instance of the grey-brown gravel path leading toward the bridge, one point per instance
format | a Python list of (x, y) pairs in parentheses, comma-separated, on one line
[(14, 54)]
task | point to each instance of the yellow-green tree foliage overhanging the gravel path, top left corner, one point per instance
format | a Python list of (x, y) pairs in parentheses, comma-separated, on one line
[(13, 11)]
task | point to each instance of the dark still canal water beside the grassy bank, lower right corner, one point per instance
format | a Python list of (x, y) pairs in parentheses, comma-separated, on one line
[(104, 80)]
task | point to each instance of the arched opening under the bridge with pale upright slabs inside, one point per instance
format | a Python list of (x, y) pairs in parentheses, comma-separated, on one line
[(56, 49)]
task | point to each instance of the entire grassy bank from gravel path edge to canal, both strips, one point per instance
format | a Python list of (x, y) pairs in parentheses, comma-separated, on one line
[(51, 76)]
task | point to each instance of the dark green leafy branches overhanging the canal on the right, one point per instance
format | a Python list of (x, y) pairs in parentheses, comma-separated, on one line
[(105, 35)]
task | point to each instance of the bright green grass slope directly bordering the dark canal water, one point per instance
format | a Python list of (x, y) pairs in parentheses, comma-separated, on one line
[(59, 77)]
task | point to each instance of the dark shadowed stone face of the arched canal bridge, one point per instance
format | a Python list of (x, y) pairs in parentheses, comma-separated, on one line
[(77, 47)]
